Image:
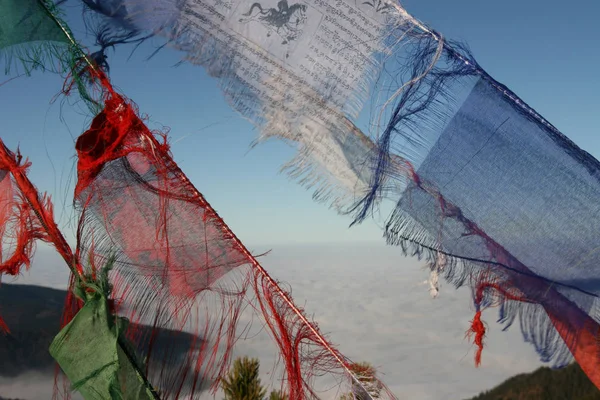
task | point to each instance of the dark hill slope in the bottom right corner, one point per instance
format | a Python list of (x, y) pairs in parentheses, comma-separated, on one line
[(569, 383)]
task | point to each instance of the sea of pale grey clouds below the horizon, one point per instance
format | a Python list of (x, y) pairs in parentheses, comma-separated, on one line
[(373, 304)]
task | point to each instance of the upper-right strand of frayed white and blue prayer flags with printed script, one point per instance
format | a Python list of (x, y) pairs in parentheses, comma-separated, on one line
[(478, 183)]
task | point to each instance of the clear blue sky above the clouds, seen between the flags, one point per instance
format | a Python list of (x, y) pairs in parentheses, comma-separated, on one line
[(545, 51)]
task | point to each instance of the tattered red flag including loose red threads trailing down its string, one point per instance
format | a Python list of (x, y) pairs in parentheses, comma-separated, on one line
[(178, 267)]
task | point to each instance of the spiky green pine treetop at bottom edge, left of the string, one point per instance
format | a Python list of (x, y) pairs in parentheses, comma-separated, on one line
[(242, 381)]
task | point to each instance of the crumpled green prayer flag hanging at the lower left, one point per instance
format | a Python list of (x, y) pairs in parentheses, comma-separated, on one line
[(93, 352)]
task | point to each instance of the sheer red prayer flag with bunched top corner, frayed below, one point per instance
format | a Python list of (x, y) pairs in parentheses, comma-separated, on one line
[(169, 250)]
